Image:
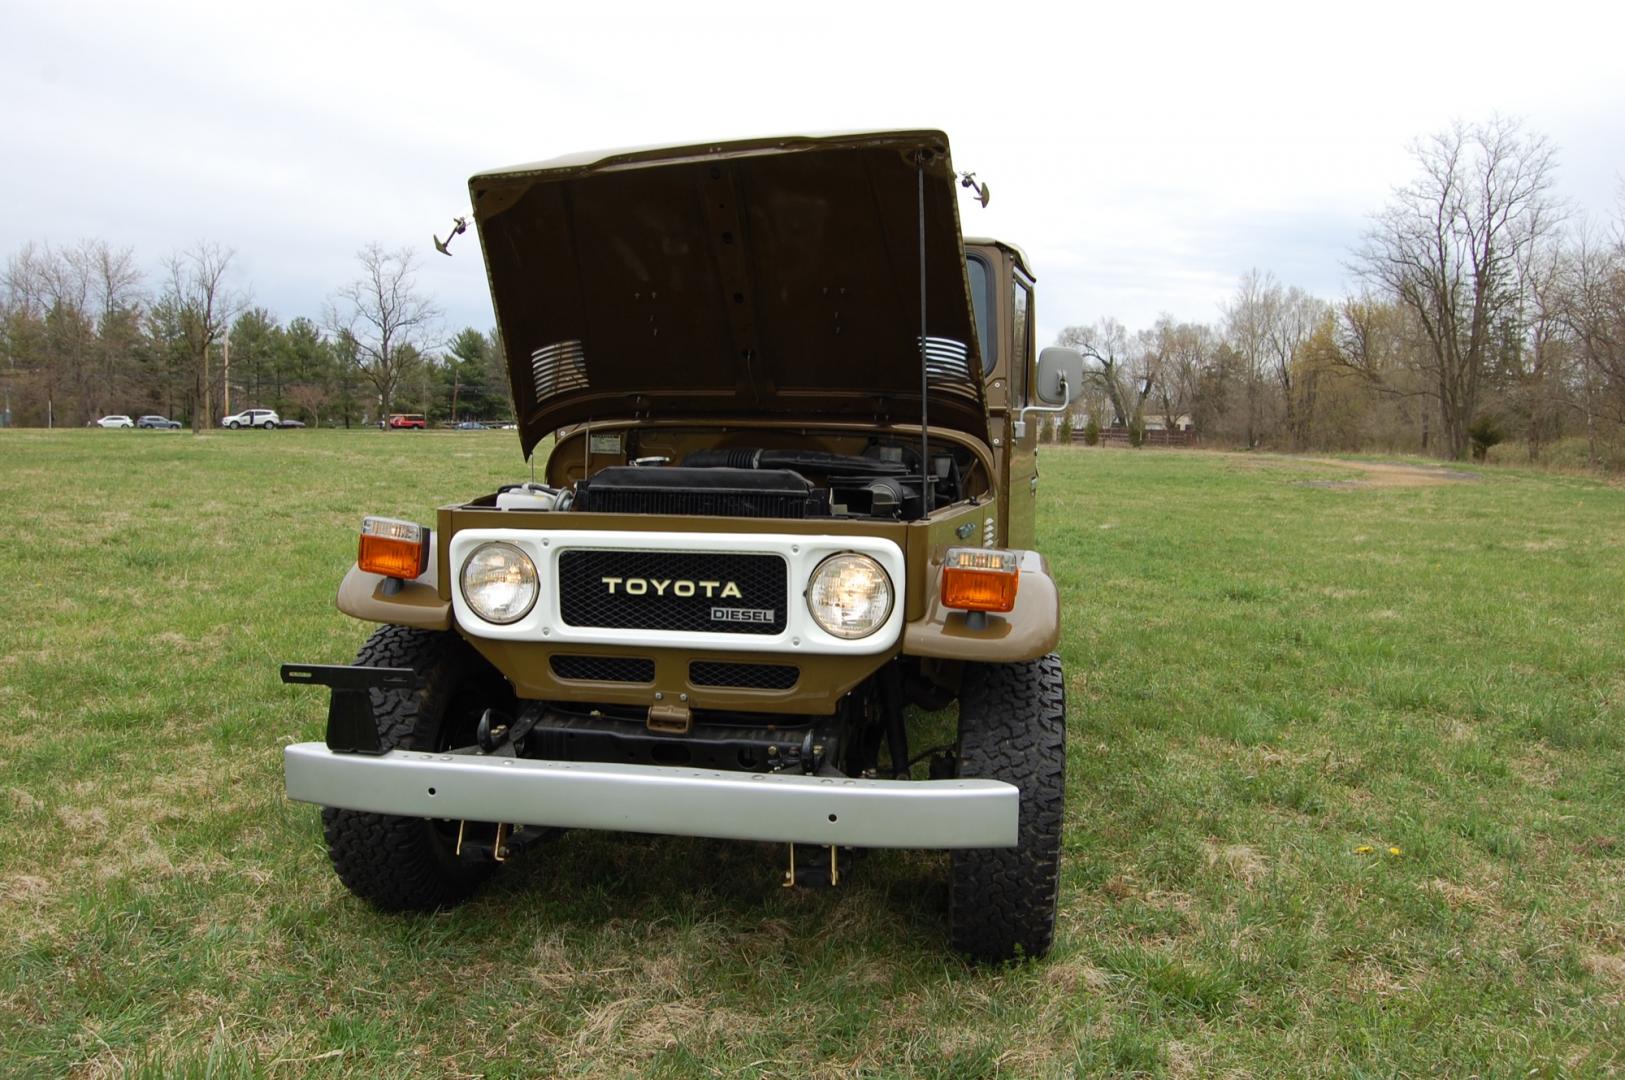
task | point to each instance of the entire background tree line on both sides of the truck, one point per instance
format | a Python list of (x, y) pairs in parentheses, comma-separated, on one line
[(1484, 313)]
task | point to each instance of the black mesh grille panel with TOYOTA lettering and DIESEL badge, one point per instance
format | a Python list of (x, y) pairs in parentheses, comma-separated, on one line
[(586, 600)]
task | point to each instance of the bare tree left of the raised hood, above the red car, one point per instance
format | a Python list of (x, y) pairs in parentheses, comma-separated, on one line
[(386, 318)]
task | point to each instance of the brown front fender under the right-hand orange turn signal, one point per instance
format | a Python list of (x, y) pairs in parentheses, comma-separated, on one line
[(1028, 633)]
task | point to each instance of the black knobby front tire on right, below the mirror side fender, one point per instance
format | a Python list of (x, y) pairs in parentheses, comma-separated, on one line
[(1013, 728)]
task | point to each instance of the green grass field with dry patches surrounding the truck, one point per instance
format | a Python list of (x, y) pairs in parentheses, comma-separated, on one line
[(1346, 798)]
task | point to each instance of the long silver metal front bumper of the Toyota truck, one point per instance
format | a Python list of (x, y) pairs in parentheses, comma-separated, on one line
[(661, 800)]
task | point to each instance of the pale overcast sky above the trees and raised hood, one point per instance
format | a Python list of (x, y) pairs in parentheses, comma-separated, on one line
[(1145, 155)]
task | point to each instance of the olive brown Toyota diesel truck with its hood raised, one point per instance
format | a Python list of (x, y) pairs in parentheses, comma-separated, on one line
[(786, 521)]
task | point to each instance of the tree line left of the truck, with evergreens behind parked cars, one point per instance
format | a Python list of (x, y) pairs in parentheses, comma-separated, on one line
[(85, 334)]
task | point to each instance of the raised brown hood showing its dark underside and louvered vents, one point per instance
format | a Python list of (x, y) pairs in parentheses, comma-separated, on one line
[(766, 279)]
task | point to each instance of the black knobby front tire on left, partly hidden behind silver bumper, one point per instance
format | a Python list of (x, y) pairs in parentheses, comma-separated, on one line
[(412, 863)]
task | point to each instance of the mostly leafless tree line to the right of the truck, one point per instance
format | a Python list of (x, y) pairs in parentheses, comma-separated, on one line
[(1486, 313)]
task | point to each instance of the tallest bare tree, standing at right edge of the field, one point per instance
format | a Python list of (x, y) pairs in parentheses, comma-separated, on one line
[(1454, 248)]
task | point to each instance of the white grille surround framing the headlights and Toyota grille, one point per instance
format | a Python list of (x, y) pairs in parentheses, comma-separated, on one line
[(802, 555)]
